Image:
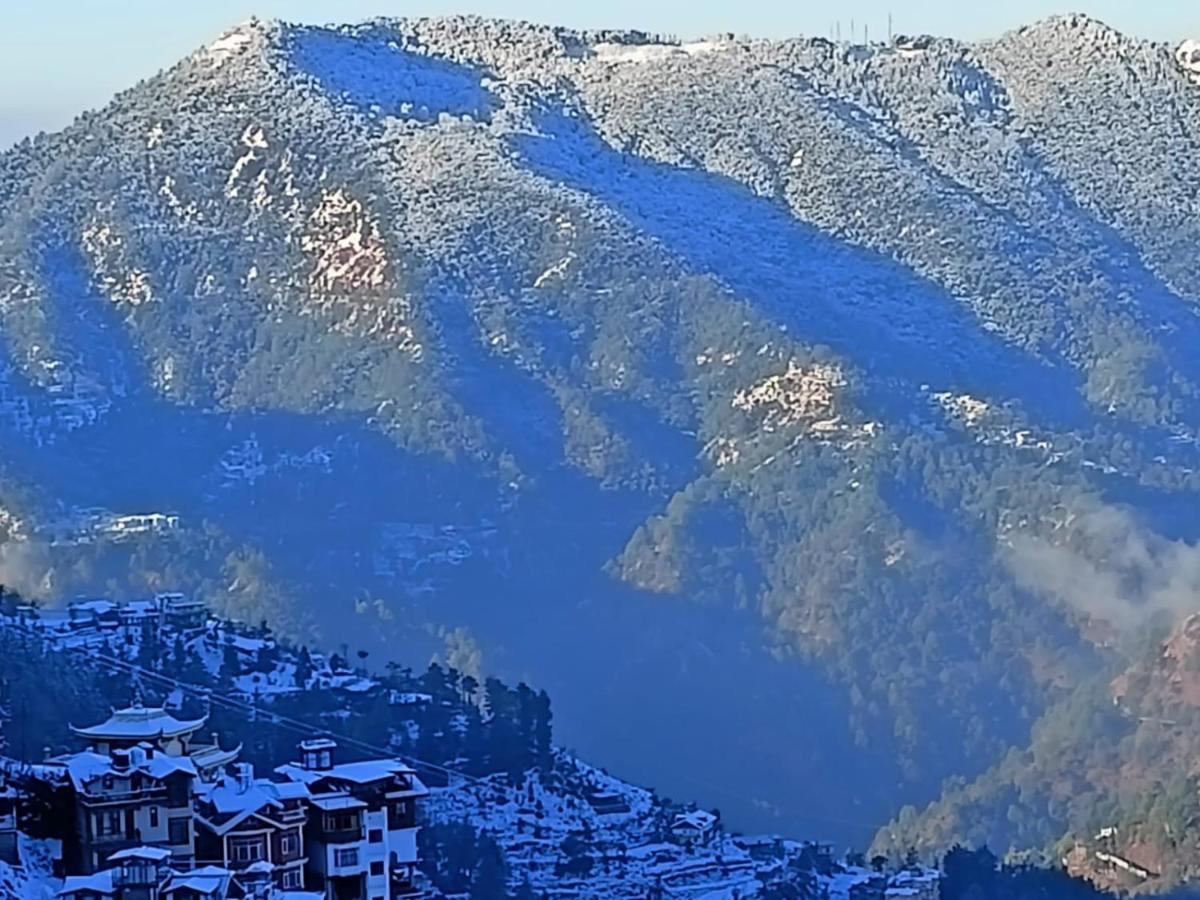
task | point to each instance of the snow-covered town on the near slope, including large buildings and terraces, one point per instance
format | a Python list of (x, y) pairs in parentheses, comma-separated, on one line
[(152, 803)]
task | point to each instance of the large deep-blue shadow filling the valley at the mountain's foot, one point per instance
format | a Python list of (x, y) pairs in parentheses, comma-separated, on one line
[(662, 693)]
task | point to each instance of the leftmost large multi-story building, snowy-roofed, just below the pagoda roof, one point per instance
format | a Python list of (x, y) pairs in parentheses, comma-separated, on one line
[(130, 799)]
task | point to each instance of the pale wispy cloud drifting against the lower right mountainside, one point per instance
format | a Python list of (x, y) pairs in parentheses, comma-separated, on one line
[(1108, 566)]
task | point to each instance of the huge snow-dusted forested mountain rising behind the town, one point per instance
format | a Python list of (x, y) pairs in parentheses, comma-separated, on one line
[(826, 407)]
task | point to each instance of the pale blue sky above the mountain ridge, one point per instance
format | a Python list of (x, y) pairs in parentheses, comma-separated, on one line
[(62, 57)]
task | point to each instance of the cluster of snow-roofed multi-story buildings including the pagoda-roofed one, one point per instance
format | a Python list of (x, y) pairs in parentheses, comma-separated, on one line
[(152, 812)]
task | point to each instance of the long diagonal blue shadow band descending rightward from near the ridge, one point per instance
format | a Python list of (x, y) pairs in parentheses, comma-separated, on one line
[(890, 323)]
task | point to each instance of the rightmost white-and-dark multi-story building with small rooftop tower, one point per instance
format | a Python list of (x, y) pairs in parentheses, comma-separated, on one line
[(362, 832)]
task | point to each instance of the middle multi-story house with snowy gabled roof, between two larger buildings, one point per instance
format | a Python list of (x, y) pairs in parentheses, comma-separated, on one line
[(248, 825)]
